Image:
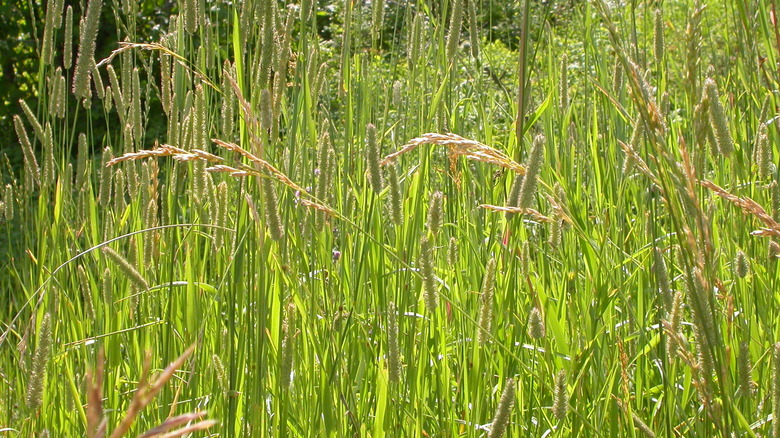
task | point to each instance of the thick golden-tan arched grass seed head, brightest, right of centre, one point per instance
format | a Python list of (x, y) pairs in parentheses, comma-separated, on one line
[(459, 146)]
